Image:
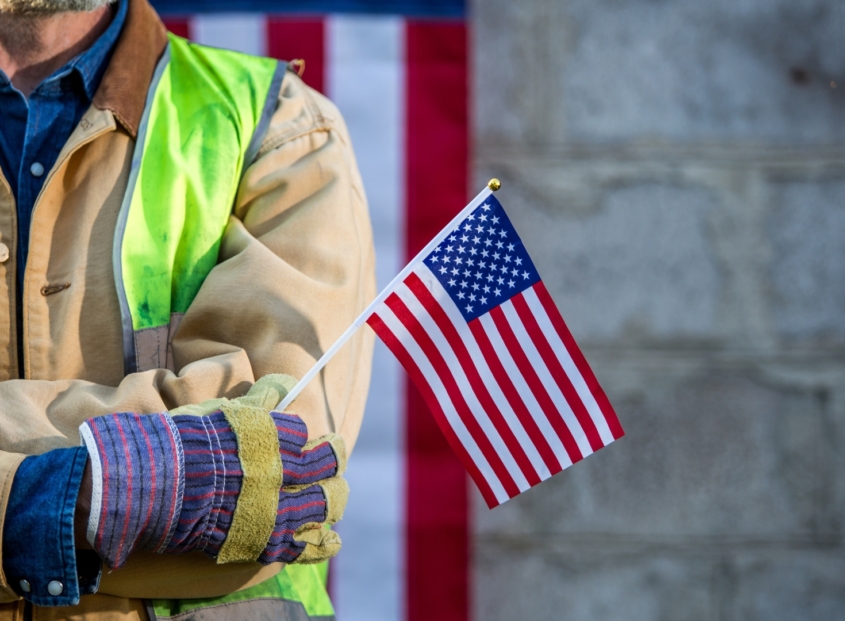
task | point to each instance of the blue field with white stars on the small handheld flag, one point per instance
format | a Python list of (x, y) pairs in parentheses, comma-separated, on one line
[(483, 262)]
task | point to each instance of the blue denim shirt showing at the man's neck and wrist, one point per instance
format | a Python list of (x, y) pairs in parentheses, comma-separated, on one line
[(38, 538)]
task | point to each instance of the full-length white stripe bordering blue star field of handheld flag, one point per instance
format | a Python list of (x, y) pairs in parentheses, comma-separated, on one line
[(487, 378)]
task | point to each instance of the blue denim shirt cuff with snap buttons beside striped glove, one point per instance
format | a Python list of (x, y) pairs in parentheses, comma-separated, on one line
[(40, 559)]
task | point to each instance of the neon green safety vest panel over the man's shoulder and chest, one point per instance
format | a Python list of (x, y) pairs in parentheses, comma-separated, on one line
[(206, 113)]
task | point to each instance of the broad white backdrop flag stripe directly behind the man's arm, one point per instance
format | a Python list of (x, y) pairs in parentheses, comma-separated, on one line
[(365, 77)]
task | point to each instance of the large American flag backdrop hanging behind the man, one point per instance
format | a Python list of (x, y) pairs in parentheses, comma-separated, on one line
[(398, 72)]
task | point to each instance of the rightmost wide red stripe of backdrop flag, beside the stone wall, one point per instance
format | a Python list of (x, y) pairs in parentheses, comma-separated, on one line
[(437, 125)]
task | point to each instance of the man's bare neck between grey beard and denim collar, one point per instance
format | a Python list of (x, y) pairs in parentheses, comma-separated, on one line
[(33, 47)]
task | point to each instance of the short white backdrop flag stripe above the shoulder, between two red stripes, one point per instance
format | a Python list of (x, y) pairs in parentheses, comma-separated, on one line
[(243, 32)]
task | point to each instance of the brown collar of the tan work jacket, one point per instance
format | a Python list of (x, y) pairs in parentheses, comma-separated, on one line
[(123, 90)]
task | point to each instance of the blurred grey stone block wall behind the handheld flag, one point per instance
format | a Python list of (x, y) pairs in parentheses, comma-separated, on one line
[(678, 170)]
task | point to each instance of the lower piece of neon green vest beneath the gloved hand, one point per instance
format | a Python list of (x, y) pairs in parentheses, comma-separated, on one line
[(297, 593)]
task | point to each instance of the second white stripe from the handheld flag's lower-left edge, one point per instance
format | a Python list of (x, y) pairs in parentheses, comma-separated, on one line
[(457, 371)]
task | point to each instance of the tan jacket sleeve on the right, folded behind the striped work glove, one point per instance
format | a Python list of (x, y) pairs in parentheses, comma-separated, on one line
[(296, 266)]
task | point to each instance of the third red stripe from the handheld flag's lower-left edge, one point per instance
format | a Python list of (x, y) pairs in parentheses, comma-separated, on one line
[(450, 332)]
